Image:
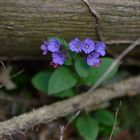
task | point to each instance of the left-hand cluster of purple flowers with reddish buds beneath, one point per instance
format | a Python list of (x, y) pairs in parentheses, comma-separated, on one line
[(58, 55)]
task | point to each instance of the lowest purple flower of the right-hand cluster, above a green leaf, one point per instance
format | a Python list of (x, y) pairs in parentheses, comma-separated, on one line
[(93, 59)]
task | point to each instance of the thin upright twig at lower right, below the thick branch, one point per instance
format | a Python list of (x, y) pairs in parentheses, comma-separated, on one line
[(116, 116)]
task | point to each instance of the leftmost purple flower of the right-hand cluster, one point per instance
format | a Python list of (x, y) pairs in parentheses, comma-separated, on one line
[(75, 45)]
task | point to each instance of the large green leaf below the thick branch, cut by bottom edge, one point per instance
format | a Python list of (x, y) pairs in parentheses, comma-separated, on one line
[(87, 127)]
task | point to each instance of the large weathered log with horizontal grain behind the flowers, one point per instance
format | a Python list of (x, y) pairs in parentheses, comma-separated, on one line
[(25, 23)]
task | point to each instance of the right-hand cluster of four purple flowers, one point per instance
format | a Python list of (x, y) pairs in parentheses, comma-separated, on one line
[(93, 50)]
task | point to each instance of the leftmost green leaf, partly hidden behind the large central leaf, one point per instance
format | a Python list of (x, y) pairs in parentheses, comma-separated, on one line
[(40, 81)]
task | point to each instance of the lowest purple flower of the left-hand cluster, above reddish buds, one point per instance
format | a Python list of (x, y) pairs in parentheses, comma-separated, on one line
[(58, 58)]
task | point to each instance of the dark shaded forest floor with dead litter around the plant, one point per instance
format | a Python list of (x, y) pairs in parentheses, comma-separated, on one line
[(18, 96)]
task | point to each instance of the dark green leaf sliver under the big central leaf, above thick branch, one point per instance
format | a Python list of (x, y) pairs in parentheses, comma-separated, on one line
[(65, 93)]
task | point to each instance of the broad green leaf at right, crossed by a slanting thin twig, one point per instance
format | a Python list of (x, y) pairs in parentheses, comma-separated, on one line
[(96, 72)]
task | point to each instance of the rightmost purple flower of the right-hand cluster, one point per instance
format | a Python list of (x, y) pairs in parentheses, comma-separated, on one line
[(100, 48)]
